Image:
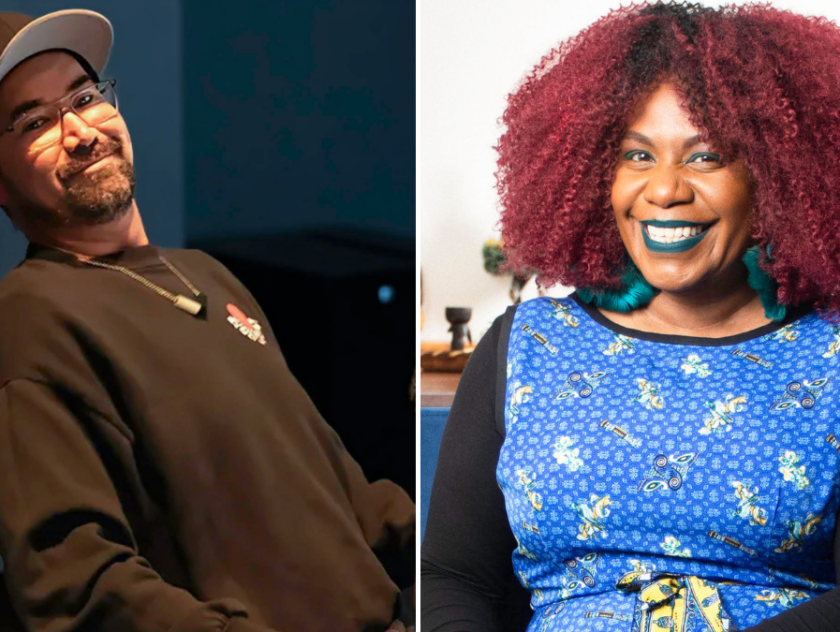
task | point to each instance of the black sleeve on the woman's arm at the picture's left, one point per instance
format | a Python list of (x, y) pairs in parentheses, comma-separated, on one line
[(467, 580)]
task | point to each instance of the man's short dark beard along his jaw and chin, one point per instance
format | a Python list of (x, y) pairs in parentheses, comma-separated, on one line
[(91, 199)]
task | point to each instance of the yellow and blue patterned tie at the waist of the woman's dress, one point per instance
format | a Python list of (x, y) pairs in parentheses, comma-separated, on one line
[(675, 603)]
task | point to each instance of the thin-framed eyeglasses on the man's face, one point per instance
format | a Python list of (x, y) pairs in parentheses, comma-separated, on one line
[(41, 127)]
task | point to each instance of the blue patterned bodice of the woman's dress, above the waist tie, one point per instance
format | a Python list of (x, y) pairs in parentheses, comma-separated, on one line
[(614, 443)]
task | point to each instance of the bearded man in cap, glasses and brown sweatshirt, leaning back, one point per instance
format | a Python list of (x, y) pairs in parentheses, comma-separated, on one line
[(160, 469)]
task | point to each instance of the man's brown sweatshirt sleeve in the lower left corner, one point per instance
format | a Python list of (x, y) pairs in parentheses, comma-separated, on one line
[(71, 560)]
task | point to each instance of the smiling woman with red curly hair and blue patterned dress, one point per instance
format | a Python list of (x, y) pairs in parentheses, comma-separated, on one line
[(659, 451)]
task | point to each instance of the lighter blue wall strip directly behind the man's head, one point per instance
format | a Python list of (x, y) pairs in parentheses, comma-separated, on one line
[(146, 61)]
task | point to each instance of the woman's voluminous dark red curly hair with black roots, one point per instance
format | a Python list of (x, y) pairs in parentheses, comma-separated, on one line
[(763, 85)]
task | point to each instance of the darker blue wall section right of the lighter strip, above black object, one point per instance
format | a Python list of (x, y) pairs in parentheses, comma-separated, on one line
[(298, 114)]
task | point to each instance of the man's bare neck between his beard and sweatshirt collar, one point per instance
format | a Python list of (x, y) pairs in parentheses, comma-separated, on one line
[(86, 242)]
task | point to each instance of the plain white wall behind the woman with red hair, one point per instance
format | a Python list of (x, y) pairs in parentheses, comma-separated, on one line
[(472, 54)]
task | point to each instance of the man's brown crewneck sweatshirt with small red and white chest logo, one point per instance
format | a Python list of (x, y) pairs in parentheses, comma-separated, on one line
[(160, 471)]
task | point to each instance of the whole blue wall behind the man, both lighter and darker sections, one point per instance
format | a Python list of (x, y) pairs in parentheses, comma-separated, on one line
[(263, 116)]
